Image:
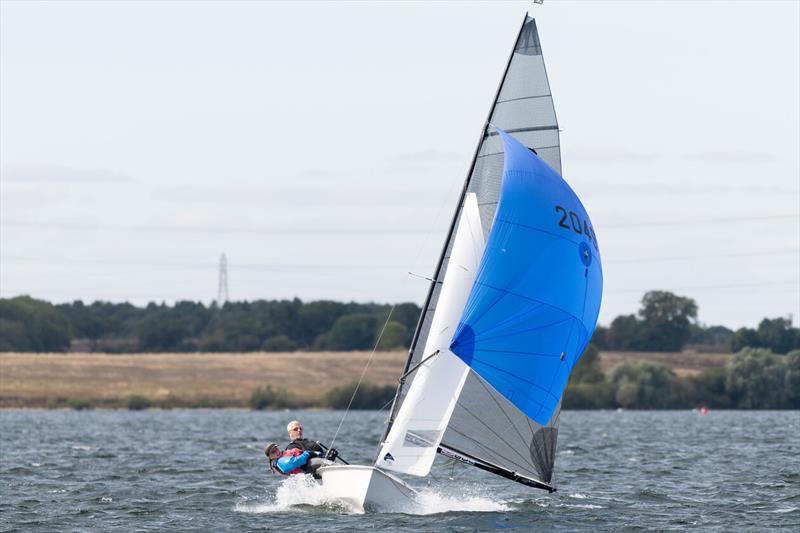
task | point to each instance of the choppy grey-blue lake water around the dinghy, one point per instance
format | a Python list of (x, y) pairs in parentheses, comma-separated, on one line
[(205, 471)]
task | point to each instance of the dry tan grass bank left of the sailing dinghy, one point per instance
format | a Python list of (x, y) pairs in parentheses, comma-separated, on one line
[(178, 379)]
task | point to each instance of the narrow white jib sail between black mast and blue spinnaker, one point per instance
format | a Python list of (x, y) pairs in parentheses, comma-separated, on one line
[(411, 445)]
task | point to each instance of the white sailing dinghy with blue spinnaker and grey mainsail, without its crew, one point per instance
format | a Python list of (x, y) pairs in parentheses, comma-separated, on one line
[(513, 304)]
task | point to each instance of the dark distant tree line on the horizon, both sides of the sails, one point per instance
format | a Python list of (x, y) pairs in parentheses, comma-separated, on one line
[(664, 322)]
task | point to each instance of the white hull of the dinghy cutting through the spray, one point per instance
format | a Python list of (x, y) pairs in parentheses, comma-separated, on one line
[(367, 488)]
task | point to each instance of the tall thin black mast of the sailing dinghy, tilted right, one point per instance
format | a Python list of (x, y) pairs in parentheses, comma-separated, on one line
[(456, 214)]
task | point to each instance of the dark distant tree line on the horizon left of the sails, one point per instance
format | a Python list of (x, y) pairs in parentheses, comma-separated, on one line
[(31, 325)]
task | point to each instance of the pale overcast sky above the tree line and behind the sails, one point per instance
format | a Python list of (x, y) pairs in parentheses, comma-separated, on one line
[(321, 146)]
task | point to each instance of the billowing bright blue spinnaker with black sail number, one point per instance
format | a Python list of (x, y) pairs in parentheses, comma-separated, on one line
[(536, 297)]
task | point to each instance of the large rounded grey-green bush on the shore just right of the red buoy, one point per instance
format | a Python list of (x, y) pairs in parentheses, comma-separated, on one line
[(756, 379)]
